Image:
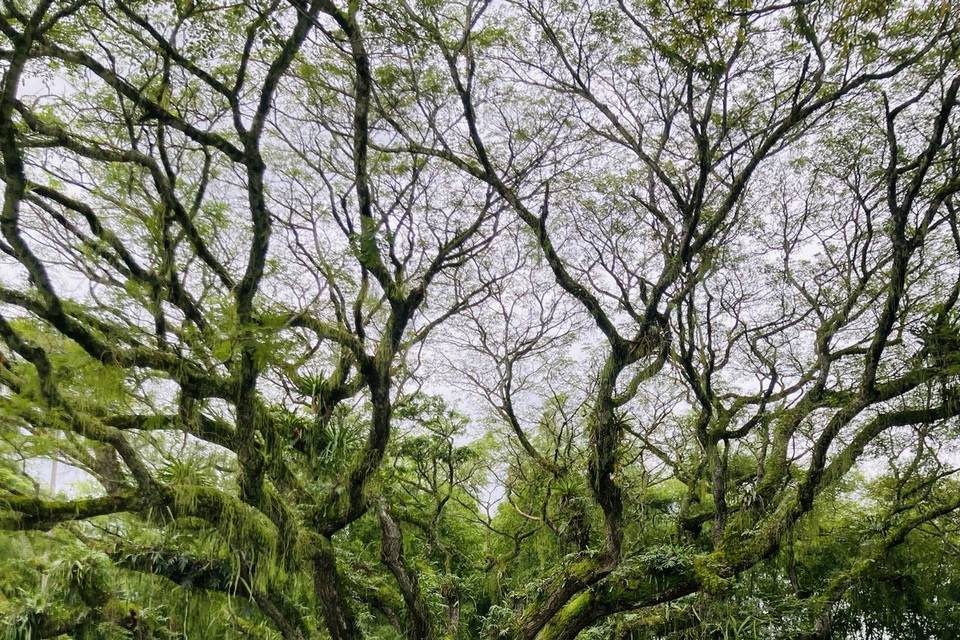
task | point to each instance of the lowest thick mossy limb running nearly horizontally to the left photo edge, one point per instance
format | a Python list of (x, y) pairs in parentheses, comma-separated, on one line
[(36, 513)]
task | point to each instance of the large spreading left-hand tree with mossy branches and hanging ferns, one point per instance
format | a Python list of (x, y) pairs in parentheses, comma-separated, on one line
[(244, 277)]
